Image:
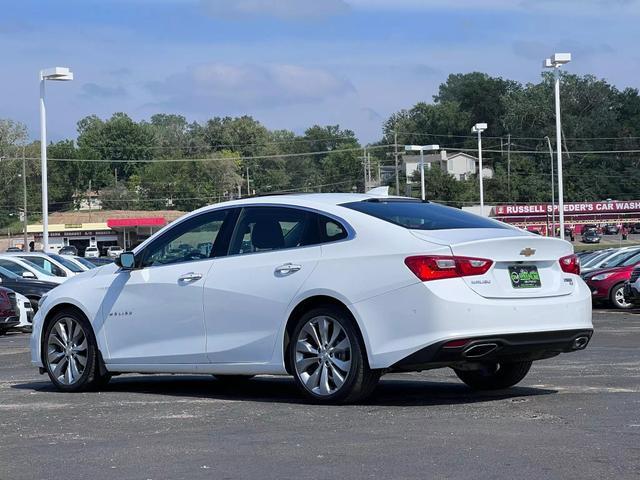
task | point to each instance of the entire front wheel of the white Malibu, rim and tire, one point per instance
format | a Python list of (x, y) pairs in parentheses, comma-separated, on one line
[(71, 353)]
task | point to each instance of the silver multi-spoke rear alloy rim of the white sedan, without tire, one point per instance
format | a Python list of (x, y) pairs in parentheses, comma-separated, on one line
[(323, 356)]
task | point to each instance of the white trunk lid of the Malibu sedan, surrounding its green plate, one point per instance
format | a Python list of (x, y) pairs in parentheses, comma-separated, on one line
[(508, 248)]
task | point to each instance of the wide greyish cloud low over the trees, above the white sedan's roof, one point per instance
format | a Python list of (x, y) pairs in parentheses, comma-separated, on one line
[(227, 86)]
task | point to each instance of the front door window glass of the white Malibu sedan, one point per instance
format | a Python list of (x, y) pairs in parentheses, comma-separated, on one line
[(191, 240)]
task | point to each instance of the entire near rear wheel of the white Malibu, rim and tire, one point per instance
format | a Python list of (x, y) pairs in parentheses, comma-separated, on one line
[(328, 357)]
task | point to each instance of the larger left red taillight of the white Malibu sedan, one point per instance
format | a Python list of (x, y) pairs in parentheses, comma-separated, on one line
[(437, 267)]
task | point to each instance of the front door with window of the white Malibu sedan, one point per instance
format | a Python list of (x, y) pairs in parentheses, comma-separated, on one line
[(154, 313)]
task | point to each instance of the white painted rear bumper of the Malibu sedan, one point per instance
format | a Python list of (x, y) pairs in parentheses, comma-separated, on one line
[(400, 323)]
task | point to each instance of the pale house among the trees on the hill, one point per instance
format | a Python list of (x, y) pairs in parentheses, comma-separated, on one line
[(459, 164)]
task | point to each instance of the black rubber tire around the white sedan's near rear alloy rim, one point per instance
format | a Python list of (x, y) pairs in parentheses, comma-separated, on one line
[(359, 382)]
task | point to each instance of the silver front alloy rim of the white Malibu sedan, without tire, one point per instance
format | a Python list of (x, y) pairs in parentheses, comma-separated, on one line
[(67, 351)]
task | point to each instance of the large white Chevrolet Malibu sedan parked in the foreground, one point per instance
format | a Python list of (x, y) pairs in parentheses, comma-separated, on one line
[(334, 289)]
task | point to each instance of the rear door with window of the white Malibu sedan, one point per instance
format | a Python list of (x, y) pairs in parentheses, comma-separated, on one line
[(248, 292)]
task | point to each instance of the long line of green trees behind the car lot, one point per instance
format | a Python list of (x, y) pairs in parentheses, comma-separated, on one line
[(170, 162)]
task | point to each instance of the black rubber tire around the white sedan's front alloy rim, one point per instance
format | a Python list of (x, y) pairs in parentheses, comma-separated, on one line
[(90, 378)]
